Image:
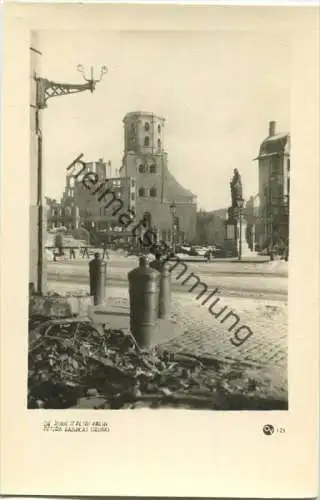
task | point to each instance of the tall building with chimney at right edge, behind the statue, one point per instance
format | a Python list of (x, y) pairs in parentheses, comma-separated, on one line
[(274, 189)]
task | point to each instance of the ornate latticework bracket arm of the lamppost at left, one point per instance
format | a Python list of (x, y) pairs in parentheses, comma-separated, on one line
[(47, 89)]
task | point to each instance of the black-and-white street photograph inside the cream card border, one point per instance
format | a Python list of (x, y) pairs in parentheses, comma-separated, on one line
[(159, 220)]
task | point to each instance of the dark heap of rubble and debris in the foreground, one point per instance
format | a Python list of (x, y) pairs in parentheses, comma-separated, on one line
[(77, 364)]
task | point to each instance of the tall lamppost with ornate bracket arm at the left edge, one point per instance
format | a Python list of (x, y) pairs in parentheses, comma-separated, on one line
[(46, 89)]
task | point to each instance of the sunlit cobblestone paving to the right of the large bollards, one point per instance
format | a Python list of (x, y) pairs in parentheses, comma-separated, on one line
[(205, 335)]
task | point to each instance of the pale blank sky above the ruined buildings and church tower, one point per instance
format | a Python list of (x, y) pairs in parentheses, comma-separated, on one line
[(216, 90)]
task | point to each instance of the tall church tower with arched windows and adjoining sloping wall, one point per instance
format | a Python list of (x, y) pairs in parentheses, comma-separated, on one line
[(146, 160)]
